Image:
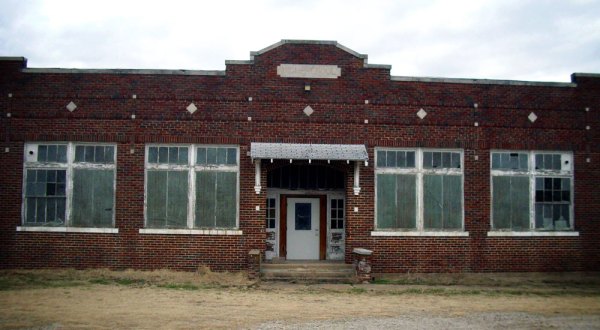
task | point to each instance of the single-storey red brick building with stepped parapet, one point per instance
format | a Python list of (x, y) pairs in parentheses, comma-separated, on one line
[(305, 151)]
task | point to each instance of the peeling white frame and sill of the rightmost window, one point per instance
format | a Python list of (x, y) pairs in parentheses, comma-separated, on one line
[(532, 173)]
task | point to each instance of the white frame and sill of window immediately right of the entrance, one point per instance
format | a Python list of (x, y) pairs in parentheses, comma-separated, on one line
[(420, 171)]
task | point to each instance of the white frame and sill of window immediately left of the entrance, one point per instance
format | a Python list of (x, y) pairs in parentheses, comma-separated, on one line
[(191, 167)]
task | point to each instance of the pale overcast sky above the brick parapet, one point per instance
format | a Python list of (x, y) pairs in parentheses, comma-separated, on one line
[(496, 39)]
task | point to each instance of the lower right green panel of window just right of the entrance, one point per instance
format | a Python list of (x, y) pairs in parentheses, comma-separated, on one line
[(442, 199)]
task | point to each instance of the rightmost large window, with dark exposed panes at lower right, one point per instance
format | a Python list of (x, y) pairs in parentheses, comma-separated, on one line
[(531, 190)]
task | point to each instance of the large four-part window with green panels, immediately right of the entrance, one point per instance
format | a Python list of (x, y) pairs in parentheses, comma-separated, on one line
[(419, 189)]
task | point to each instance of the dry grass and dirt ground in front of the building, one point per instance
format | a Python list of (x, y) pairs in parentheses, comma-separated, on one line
[(170, 300)]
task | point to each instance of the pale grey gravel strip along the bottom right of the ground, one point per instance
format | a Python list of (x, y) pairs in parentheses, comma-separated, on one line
[(471, 321)]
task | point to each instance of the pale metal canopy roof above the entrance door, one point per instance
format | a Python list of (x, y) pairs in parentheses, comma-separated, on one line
[(353, 152)]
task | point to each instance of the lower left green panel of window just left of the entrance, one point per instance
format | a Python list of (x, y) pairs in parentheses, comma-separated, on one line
[(167, 198)]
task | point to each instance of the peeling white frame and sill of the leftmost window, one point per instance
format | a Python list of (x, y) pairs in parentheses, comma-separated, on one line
[(69, 166)]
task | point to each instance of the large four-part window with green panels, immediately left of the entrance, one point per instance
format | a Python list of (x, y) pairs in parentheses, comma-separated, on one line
[(190, 186)]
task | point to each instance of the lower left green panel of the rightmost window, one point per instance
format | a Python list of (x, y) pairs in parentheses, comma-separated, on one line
[(510, 202)]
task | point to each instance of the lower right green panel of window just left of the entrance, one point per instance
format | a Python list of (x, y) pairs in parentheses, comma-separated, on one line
[(216, 202)]
